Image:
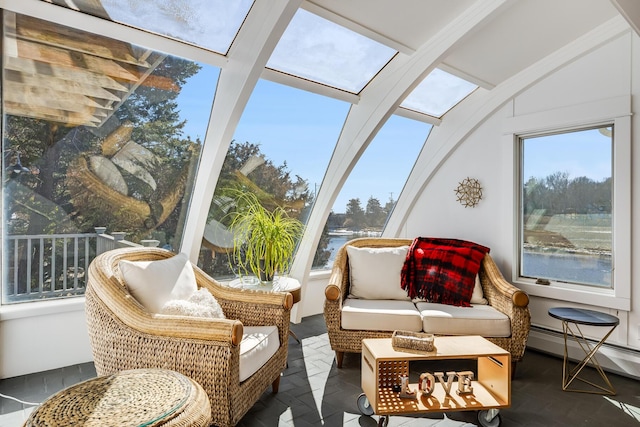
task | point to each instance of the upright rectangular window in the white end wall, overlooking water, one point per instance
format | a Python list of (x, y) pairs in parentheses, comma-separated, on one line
[(566, 207)]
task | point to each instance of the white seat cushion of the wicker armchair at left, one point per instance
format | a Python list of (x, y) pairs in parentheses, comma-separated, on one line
[(258, 344)]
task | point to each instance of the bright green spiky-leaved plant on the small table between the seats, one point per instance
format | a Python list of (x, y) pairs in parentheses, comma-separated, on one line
[(264, 241)]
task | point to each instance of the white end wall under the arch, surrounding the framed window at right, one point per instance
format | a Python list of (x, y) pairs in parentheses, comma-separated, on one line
[(613, 70)]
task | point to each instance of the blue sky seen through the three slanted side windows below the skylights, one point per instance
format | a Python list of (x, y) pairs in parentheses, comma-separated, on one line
[(301, 129)]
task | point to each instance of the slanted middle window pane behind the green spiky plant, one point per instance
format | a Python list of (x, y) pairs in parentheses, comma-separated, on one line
[(280, 153)]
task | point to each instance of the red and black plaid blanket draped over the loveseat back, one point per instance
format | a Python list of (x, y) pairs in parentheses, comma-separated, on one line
[(442, 270)]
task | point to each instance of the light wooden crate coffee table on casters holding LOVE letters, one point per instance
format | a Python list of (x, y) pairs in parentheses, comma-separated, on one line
[(382, 366)]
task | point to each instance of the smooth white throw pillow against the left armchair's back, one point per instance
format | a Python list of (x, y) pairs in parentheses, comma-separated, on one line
[(154, 283)]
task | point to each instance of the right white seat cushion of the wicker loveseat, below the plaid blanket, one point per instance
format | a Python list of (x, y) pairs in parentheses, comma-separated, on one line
[(481, 320)]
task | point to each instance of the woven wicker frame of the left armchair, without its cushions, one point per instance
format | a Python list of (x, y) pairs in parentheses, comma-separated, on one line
[(125, 336)]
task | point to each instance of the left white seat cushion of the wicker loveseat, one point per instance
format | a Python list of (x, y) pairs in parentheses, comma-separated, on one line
[(380, 315)]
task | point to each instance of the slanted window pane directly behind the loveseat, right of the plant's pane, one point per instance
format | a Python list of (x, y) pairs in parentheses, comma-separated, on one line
[(369, 194)]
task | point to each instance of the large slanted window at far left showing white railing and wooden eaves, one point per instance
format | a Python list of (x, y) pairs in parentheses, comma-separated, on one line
[(98, 133)]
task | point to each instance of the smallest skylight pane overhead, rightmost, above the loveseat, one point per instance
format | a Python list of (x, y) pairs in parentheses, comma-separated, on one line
[(438, 93)]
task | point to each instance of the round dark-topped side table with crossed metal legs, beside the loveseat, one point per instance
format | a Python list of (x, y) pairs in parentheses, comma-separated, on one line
[(571, 319)]
